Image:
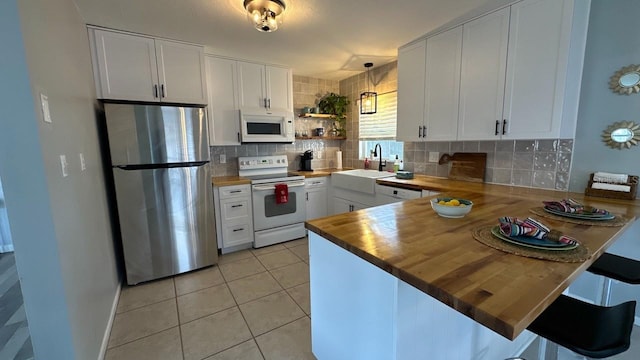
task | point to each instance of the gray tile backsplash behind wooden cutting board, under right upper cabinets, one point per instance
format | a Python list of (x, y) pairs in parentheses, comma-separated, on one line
[(544, 163)]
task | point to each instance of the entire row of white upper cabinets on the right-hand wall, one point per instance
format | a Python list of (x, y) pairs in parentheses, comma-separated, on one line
[(519, 76)]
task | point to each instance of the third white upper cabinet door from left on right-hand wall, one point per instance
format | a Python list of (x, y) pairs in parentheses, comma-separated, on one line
[(484, 60)]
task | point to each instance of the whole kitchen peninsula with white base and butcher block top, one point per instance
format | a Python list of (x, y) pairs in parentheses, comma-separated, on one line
[(399, 282)]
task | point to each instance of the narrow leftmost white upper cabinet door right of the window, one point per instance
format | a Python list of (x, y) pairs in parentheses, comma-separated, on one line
[(411, 89)]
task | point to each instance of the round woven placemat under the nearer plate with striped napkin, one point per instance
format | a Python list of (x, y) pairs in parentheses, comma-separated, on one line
[(483, 235)]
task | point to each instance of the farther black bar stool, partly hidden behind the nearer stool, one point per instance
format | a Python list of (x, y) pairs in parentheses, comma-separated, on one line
[(615, 267)]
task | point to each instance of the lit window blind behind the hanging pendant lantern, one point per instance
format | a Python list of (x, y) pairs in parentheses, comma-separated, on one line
[(382, 124)]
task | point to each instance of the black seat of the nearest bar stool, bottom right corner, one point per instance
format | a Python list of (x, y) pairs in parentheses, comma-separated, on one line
[(587, 329)]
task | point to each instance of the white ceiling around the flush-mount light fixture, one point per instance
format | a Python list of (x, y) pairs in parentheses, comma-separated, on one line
[(327, 39)]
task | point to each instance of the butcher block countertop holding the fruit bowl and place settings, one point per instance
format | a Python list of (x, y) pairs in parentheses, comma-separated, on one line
[(439, 256)]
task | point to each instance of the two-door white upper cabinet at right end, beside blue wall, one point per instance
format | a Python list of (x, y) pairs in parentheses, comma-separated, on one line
[(516, 81)]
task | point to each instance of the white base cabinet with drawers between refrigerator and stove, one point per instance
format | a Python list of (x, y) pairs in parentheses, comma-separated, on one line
[(234, 217)]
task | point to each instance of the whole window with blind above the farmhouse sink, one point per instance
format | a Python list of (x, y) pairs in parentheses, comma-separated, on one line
[(380, 128)]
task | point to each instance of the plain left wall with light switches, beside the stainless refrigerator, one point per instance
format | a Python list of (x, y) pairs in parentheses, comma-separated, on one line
[(60, 226)]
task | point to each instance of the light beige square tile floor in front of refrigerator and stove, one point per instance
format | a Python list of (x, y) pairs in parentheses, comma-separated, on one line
[(253, 305)]
